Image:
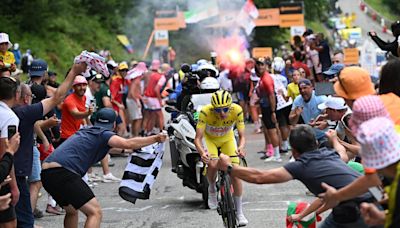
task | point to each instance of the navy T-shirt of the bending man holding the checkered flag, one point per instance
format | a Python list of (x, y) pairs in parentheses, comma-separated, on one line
[(82, 150)]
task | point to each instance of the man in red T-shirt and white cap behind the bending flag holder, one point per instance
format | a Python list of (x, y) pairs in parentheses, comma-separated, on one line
[(74, 110)]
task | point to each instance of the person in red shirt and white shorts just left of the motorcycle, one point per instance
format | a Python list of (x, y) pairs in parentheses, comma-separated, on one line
[(152, 98)]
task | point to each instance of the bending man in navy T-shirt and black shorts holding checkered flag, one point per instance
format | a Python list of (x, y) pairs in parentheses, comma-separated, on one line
[(63, 170)]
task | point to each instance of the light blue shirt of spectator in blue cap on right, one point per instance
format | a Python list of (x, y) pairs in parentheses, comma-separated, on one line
[(310, 110)]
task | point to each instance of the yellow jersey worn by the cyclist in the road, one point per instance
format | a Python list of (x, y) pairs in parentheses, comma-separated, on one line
[(217, 128)]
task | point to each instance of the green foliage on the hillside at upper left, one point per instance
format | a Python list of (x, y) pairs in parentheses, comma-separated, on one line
[(59, 30)]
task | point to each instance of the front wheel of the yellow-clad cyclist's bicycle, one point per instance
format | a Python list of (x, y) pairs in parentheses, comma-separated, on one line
[(229, 205)]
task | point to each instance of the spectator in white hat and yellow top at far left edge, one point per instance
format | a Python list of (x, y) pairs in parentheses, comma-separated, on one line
[(7, 59)]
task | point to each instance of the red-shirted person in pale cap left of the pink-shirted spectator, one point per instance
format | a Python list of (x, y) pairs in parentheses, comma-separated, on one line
[(117, 91)]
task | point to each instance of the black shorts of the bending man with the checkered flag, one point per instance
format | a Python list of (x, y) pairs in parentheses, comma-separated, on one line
[(66, 187)]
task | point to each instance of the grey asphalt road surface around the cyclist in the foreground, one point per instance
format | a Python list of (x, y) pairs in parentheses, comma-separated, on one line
[(172, 205)]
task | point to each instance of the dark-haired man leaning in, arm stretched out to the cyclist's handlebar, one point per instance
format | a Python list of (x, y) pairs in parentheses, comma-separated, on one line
[(312, 167)]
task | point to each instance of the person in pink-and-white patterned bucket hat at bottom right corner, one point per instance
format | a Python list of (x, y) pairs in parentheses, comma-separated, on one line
[(380, 145)]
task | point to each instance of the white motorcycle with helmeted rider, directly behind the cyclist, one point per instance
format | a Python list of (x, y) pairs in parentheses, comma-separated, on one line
[(181, 128)]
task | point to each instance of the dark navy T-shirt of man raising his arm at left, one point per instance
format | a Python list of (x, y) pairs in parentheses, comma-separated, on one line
[(23, 158)]
